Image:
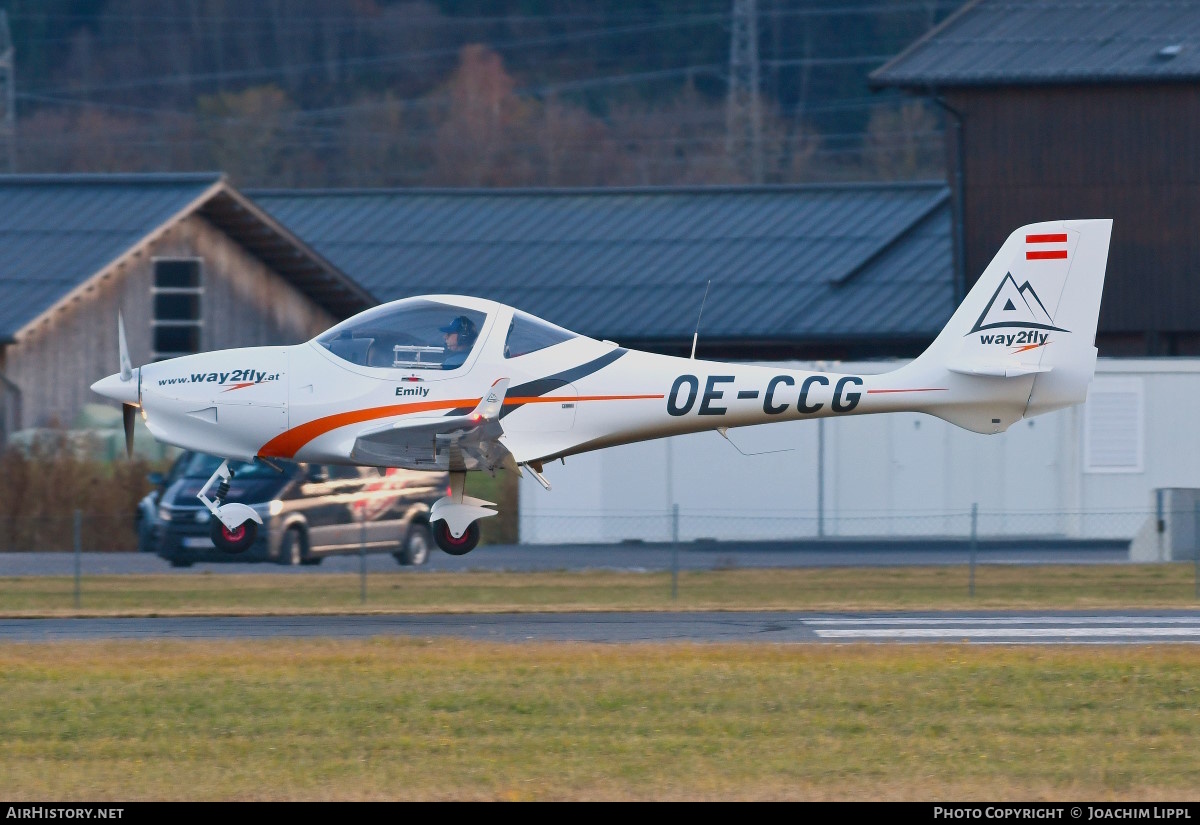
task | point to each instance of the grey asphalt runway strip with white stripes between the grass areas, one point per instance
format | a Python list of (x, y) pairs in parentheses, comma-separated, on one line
[(1126, 628)]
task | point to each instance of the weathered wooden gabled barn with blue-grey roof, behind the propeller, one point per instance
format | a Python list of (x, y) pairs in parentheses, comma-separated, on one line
[(190, 263)]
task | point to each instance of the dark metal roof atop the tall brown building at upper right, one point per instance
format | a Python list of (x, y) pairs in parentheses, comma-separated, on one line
[(994, 43)]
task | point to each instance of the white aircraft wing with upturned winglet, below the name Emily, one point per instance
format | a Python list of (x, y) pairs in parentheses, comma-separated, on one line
[(454, 443)]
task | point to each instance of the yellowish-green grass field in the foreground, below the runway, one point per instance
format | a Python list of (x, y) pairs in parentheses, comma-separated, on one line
[(452, 720)]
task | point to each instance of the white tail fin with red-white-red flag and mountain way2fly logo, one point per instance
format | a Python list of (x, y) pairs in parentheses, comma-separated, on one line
[(1023, 342)]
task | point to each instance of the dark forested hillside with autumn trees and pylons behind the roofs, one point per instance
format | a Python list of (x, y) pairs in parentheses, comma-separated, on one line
[(470, 93)]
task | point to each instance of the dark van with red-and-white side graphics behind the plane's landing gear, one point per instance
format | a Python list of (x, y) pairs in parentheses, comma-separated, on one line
[(309, 511)]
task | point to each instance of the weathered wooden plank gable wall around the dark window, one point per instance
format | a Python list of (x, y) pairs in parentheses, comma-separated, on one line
[(244, 304)]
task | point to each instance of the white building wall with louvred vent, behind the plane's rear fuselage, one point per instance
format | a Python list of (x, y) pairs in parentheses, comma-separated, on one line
[(1087, 472)]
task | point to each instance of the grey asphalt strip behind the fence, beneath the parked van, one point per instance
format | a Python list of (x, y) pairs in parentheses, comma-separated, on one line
[(625, 557)]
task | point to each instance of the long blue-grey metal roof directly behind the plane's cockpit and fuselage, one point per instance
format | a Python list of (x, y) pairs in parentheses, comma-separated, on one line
[(788, 264)]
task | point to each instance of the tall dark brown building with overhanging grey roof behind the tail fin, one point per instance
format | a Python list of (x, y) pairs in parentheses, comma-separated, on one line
[(1078, 110)]
